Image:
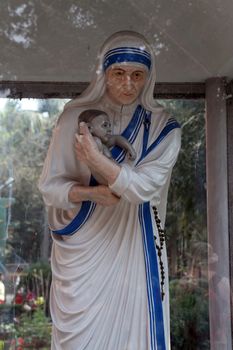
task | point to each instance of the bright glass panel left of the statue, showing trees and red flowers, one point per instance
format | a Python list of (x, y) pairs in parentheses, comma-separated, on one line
[(24, 236)]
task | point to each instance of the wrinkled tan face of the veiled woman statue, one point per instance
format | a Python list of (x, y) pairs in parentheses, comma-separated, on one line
[(124, 83)]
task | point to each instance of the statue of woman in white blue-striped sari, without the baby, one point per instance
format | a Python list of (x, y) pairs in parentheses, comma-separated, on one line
[(110, 284)]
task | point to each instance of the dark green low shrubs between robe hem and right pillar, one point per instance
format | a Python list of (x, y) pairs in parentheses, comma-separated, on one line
[(189, 314)]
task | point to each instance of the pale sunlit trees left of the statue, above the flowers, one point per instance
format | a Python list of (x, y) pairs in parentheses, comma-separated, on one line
[(24, 141)]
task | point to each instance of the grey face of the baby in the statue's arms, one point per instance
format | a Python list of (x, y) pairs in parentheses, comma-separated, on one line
[(100, 126)]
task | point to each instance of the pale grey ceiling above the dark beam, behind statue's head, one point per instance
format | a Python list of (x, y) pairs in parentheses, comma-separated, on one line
[(54, 40)]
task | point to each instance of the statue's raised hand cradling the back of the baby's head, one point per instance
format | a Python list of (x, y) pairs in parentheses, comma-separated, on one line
[(85, 146)]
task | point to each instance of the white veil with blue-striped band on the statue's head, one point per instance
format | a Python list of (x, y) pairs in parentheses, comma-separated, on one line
[(132, 48)]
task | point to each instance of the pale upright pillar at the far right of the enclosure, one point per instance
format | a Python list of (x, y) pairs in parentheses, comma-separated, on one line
[(217, 215)]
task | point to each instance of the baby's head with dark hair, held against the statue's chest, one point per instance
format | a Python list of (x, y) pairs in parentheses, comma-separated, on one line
[(98, 123)]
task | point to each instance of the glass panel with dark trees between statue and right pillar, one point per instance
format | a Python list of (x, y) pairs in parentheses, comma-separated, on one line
[(186, 229)]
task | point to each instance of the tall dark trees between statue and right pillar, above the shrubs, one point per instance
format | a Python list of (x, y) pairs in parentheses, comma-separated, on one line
[(186, 210)]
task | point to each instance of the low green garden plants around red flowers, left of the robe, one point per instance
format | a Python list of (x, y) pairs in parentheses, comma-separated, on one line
[(33, 326)]
